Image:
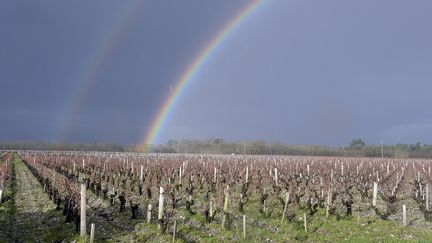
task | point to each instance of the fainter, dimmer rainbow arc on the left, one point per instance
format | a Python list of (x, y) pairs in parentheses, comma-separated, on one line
[(95, 66)]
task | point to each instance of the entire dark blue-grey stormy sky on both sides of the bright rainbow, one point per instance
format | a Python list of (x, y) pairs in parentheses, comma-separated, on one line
[(296, 72)]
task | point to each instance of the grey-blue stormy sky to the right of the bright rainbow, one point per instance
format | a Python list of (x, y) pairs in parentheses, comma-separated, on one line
[(320, 72)]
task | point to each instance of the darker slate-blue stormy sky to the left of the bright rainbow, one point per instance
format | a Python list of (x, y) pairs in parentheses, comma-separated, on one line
[(46, 46)]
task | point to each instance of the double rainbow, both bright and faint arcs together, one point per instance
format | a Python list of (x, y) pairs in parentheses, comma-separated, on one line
[(97, 61)]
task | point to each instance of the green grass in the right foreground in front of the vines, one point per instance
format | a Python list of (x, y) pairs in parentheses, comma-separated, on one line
[(193, 228)]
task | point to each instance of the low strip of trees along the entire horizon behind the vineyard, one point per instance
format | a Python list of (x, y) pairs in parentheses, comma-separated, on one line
[(357, 148)]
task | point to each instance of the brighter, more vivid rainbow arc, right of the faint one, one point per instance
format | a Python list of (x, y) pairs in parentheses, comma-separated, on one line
[(188, 75)]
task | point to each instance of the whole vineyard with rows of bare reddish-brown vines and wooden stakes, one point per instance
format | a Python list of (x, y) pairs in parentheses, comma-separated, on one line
[(55, 196)]
